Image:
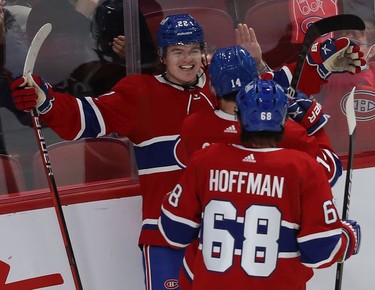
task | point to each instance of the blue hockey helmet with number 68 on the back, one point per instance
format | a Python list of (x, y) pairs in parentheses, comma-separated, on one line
[(263, 106)]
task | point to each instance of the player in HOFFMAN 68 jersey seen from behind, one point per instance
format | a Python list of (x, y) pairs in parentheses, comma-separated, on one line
[(264, 215)]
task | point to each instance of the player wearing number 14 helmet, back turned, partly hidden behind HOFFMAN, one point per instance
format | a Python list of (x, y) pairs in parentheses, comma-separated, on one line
[(230, 70)]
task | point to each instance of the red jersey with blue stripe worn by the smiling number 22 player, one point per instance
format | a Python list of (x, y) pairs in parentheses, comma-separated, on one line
[(149, 112)]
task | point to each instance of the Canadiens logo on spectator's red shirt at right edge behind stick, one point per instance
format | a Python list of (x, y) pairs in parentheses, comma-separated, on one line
[(364, 105)]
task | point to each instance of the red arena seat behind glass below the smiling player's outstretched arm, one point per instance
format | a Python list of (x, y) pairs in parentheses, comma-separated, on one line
[(85, 160)]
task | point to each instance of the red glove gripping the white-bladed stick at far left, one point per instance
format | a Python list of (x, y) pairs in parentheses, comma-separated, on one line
[(31, 92)]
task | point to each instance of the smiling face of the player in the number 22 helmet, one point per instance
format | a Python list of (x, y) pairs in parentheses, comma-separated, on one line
[(183, 63)]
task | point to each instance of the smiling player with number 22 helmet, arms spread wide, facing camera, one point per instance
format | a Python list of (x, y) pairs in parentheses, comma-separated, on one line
[(149, 110)]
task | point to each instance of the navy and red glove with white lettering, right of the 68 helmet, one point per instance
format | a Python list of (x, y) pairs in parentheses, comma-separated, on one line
[(307, 112)]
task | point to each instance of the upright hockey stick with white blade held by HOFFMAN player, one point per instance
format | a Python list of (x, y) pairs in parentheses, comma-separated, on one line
[(350, 116)]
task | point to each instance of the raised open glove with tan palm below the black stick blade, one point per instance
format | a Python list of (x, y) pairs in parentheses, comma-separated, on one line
[(336, 55)]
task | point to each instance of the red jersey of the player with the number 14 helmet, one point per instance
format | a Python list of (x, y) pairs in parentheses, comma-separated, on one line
[(203, 128)]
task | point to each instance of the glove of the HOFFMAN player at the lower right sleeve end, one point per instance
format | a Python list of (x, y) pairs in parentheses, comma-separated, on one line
[(352, 231)]
